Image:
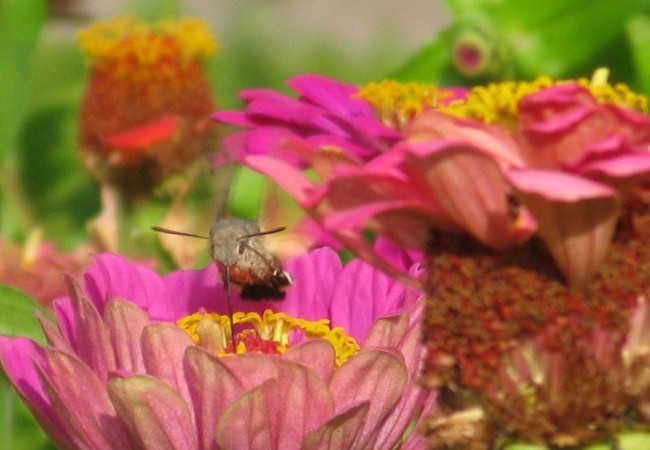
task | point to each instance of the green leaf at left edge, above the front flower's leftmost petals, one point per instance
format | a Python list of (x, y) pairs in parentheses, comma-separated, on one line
[(18, 318)]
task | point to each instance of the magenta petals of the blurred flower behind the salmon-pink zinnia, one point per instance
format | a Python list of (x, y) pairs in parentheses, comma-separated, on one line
[(326, 114)]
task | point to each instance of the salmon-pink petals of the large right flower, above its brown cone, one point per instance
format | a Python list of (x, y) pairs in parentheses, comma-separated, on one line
[(560, 170)]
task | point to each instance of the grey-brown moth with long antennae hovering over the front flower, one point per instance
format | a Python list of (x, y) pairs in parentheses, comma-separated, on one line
[(237, 247)]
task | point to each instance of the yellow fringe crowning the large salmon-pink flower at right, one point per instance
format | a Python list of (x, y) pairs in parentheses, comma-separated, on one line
[(497, 103)]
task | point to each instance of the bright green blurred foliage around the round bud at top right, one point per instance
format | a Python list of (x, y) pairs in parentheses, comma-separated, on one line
[(532, 37)]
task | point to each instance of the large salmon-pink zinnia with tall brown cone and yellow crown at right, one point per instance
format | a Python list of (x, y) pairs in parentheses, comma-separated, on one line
[(532, 211)]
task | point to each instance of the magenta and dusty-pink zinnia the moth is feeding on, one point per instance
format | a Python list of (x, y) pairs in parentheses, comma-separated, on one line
[(334, 367)]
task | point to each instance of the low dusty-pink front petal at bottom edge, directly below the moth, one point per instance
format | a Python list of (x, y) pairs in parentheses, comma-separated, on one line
[(246, 424)]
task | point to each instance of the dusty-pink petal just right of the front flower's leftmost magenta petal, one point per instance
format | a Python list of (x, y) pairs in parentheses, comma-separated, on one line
[(82, 405)]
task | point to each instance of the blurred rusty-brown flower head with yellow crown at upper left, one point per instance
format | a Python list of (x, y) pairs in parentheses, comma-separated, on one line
[(145, 111)]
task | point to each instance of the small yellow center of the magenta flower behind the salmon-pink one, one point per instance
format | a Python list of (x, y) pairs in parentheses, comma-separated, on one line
[(396, 104)]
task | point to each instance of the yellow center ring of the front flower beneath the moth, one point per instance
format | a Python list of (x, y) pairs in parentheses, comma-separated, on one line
[(271, 333)]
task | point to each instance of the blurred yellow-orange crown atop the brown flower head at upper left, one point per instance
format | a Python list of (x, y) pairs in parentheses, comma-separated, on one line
[(131, 49)]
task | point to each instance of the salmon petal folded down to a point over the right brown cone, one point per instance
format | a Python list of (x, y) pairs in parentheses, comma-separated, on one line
[(576, 218)]
